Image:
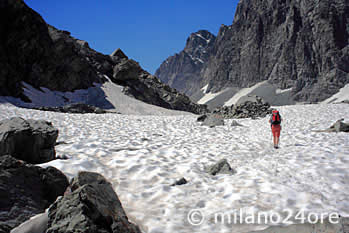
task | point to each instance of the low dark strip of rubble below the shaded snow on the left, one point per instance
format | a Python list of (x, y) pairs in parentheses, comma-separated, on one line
[(74, 108)]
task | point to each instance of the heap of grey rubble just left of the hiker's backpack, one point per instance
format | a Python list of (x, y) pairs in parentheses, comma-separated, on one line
[(248, 107)]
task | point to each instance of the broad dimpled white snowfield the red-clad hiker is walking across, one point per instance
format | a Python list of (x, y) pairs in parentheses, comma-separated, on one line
[(143, 155)]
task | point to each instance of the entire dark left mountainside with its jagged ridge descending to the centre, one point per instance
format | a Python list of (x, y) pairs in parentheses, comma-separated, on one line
[(36, 53)]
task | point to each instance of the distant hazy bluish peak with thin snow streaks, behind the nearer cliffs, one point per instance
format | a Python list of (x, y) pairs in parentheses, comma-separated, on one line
[(182, 71)]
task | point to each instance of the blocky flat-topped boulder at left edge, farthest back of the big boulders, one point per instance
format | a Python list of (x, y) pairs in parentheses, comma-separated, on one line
[(30, 140)]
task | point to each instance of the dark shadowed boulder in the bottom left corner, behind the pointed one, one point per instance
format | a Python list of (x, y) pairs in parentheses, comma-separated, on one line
[(26, 190)]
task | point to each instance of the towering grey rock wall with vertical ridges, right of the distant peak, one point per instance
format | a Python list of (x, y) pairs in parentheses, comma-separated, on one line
[(296, 44)]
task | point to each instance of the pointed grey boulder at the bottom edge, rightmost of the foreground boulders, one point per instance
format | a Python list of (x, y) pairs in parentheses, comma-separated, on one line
[(91, 207)]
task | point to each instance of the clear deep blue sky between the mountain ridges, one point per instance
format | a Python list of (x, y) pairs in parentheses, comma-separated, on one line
[(148, 31)]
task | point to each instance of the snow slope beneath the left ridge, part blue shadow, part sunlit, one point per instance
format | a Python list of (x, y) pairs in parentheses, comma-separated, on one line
[(107, 96)]
